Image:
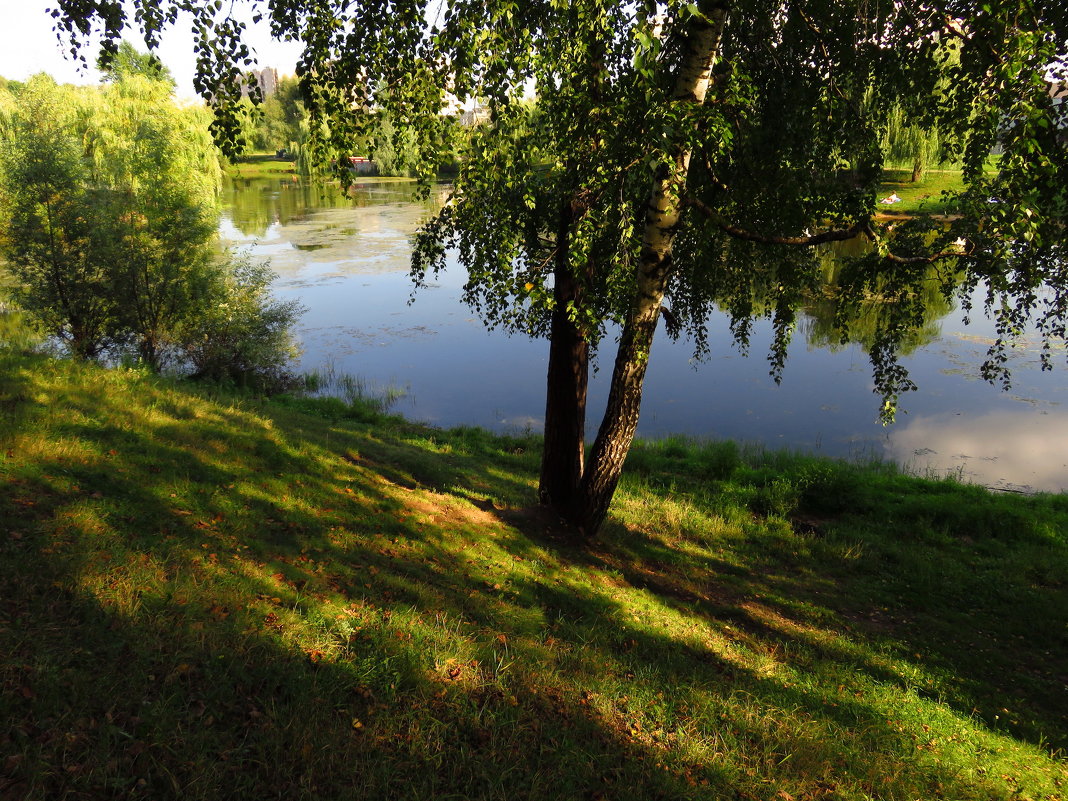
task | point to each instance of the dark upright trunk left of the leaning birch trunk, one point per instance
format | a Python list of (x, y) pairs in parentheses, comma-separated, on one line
[(566, 407)]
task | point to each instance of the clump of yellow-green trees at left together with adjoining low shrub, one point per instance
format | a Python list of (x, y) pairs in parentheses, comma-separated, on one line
[(111, 199)]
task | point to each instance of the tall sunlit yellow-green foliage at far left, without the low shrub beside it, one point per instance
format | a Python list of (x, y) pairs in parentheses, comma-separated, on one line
[(111, 198)]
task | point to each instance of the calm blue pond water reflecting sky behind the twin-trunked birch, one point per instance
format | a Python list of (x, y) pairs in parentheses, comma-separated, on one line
[(348, 261)]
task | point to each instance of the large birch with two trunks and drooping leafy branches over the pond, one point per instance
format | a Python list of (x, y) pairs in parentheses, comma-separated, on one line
[(643, 161)]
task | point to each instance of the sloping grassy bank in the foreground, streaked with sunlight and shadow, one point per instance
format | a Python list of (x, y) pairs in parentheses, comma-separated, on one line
[(208, 598)]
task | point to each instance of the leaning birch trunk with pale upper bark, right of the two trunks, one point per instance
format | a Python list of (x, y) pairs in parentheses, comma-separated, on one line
[(617, 434)]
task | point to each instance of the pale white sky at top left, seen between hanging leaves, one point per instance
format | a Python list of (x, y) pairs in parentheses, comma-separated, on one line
[(28, 45)]
